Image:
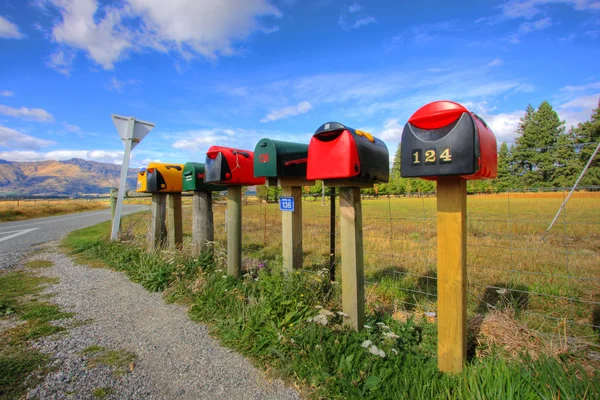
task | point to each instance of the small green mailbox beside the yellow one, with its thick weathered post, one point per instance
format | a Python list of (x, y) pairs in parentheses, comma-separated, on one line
[(203, 231)]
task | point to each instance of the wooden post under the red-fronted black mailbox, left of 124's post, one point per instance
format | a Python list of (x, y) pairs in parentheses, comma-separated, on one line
[(353, 279)]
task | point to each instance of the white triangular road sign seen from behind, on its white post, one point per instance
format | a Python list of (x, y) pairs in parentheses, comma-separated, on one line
[(132, 132)]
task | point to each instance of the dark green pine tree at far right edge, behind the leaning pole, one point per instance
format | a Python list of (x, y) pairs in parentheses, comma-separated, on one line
[(587, 136)]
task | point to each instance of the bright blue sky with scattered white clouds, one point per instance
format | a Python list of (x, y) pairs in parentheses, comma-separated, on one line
[(229, 72)]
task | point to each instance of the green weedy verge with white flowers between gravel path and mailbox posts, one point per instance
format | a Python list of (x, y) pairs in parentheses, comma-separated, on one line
[(290, 325)]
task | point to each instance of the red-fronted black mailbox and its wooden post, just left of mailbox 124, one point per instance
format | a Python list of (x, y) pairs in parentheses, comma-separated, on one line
[(349, 159)]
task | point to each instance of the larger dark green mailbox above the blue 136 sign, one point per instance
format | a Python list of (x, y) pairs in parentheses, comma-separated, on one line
[(274, 158)]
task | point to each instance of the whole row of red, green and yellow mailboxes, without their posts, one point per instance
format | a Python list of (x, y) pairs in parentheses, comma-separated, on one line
[(441, 139)]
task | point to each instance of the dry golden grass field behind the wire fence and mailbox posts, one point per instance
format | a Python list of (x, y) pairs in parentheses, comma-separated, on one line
[(552, 282)]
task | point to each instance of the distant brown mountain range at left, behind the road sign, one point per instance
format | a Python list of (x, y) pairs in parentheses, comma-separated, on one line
[(74, 177)]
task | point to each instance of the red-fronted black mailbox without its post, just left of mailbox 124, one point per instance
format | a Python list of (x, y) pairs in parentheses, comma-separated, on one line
[(339, 152)]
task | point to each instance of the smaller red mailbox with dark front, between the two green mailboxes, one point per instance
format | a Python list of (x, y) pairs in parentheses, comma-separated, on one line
[(232, 167)]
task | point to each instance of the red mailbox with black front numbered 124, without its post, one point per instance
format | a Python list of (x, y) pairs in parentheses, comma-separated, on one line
[(443, 138)]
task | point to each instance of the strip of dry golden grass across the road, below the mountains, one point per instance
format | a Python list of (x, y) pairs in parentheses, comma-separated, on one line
[(17, 210)]
